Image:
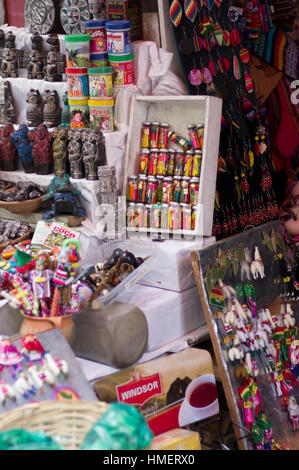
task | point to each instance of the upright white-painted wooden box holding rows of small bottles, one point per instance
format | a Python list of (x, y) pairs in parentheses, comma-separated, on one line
[(179, 112)]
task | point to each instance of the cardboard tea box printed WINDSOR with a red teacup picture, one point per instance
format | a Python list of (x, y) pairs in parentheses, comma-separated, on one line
[(170, 392)]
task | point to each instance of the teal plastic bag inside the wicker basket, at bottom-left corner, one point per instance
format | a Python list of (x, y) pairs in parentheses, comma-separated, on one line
[(20, 439)]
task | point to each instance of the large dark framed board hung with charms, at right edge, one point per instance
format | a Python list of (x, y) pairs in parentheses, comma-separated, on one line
[(248, 293)]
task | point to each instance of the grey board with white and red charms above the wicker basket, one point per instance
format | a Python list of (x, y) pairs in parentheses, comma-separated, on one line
[(40, 367)]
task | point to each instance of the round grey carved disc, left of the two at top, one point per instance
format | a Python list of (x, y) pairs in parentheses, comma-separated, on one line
[(39, 15)]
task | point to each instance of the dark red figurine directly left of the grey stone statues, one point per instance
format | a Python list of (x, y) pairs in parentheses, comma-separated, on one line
[(42, 151)]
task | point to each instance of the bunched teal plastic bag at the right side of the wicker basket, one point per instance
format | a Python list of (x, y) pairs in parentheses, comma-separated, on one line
[(121, 427)]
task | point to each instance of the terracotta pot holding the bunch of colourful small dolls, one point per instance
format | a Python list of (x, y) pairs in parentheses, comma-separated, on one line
[(36, 325)]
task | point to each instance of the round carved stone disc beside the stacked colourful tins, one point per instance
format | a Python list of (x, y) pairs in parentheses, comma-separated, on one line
[(73, 16)]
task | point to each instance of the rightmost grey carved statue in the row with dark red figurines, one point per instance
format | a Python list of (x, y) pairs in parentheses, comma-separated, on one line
[(92, 152)]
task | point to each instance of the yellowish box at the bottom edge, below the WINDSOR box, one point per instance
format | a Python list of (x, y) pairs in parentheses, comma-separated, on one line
[(176, 439)]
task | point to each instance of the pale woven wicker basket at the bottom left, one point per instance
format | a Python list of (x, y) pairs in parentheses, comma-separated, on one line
[(67, 423)]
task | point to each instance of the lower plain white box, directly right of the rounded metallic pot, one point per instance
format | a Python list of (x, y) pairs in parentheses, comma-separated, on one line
[(170, 315)]
